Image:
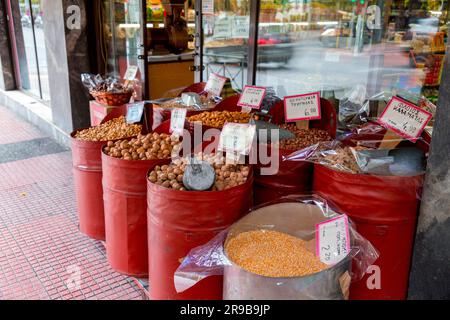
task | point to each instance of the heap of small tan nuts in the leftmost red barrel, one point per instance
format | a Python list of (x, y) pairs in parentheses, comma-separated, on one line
[(114, 129)]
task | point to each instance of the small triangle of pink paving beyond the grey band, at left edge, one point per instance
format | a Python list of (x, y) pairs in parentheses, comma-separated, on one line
[(15, 129)]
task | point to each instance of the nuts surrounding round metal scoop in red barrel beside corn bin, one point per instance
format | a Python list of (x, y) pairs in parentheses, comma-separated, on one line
[(227, 175)]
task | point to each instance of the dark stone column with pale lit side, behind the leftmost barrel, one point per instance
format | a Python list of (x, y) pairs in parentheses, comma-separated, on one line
[(67, 57)]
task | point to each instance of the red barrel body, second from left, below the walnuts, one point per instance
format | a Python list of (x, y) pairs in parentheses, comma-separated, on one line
[(125, 200)]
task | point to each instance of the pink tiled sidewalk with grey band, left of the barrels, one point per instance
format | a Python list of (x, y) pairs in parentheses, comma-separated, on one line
[(42, 253)]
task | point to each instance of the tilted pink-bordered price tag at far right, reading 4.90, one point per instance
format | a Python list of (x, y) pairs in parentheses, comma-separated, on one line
[(404, 118)]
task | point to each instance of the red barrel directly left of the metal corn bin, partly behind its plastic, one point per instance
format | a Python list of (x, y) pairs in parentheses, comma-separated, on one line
[(179, 221)]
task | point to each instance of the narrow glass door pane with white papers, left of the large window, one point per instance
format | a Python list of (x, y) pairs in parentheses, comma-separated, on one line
[(226, 31)]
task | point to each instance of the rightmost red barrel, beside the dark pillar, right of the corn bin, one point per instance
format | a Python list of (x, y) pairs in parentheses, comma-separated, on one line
[(385, 210)]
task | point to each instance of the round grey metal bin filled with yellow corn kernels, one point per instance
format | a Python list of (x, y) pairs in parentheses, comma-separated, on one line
[(286, 226)]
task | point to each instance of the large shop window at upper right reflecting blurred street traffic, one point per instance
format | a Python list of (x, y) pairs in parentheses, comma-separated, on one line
[(331, 46)]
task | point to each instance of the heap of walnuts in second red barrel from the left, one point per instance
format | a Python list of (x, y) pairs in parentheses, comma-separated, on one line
[(144, 147)]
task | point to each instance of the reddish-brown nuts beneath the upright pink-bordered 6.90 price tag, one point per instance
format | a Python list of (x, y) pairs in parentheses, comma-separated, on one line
[(303, 137)]
